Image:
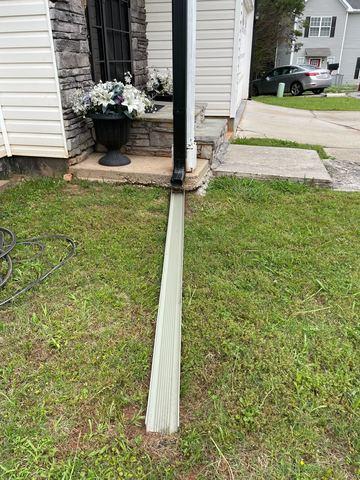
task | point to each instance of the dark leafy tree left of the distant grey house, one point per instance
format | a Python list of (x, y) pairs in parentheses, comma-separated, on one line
[(274, 26)]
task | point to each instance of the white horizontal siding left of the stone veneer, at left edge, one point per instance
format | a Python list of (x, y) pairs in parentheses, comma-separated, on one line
[(29, 87)]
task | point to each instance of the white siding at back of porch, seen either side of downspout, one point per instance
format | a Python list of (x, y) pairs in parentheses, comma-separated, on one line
[(215, 44)]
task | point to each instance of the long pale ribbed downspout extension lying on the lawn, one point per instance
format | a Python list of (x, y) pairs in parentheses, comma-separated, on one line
[(162, 414)]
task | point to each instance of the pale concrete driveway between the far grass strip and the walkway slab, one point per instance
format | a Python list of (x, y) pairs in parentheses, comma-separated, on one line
[(330, 129)]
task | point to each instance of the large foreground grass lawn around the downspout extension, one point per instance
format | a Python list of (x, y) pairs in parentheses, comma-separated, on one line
[(270, 370)]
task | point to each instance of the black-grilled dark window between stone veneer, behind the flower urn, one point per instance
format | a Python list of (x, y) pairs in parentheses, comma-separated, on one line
[(109, 28)]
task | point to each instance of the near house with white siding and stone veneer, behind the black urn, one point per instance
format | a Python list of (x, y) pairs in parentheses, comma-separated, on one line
[(49, 50)]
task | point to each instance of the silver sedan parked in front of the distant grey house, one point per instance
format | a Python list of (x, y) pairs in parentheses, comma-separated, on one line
[(297, 79)]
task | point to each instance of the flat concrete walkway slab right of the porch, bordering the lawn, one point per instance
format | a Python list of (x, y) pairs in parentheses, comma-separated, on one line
[(271, 163)]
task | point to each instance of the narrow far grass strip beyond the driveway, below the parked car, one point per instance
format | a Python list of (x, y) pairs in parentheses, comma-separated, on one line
[(308, 102)]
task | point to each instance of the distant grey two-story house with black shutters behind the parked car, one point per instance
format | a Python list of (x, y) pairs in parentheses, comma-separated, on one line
[(331, 35)]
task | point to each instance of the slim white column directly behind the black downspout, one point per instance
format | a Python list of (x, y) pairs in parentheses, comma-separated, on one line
[(191, 159)]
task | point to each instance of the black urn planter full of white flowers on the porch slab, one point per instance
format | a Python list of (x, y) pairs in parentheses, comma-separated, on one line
[(111, 106)]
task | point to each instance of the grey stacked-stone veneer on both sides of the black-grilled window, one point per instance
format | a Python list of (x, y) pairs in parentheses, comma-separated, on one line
[(70, 33)]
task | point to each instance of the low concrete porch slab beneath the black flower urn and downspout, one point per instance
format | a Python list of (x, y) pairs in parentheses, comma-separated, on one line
[(142, 170)]
